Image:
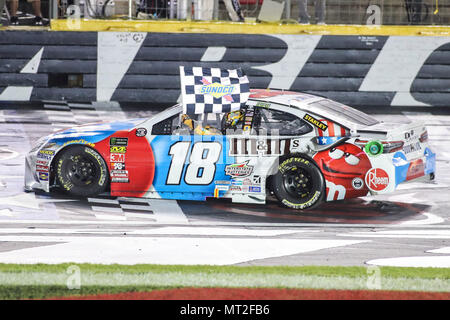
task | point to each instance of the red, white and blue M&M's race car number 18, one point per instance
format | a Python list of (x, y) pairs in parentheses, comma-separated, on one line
[(301, 148)]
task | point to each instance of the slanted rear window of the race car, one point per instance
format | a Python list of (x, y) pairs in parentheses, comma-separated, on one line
[(340, 110)]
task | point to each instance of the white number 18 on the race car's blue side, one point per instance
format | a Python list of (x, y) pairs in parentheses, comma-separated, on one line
[(202, 162)]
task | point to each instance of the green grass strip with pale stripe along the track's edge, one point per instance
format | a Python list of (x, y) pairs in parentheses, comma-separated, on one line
[(38, 281)]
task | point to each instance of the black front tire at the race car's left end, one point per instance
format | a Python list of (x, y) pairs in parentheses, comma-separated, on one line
[(81, 171)]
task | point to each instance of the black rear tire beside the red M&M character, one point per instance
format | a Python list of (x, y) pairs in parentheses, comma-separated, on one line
[(298, 183)]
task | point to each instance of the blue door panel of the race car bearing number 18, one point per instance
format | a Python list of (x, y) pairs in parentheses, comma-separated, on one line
[(188, 165)]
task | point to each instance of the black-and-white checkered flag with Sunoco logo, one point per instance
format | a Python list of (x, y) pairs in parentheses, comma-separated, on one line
[(213, 90)]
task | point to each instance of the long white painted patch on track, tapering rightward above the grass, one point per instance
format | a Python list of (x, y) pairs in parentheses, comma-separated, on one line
[(137, 250)]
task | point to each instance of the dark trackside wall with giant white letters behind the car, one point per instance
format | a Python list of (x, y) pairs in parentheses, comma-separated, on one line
[(143, 67)]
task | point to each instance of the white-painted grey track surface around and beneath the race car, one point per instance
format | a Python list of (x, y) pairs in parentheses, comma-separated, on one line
[(410, 227)]
